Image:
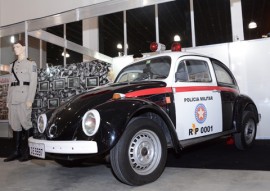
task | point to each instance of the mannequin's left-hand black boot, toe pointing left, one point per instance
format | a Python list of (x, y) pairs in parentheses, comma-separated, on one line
[(17, 136)]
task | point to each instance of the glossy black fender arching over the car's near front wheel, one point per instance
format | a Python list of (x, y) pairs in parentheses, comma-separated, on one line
[(115, 116)]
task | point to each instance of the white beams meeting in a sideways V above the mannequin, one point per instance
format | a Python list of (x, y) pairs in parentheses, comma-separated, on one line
[(34, 26)]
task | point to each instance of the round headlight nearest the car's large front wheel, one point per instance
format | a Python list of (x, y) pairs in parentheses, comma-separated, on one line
[(90, 122)]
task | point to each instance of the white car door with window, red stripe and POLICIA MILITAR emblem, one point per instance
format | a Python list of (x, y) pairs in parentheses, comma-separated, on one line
[(197, 98)]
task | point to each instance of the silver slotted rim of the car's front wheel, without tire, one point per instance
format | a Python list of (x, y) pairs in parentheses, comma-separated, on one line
[(144, 152)]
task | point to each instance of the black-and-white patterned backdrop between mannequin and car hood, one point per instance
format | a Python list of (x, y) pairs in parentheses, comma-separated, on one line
[(58, 84)]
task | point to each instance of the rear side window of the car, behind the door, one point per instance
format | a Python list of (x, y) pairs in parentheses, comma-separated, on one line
[(223, 76)]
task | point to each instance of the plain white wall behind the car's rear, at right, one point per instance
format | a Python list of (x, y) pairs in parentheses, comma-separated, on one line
[(250, 63)]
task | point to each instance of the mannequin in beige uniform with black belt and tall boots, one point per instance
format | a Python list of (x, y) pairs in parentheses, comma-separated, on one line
[(21, 93)]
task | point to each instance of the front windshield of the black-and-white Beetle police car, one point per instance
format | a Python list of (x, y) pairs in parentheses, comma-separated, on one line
[(154, 68)]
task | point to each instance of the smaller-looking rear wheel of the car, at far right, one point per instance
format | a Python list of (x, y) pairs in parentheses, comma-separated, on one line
[(245, 138)]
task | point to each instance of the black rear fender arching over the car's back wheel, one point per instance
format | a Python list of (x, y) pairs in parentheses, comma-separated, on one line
[(243, 103)]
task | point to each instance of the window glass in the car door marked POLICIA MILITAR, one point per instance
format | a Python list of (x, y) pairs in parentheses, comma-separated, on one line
[(193, 71)]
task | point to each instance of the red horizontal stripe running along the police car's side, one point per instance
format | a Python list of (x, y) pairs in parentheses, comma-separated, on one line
[(163, 90)]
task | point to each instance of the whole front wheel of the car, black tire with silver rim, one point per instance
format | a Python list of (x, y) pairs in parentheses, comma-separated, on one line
[(141, 153)]
